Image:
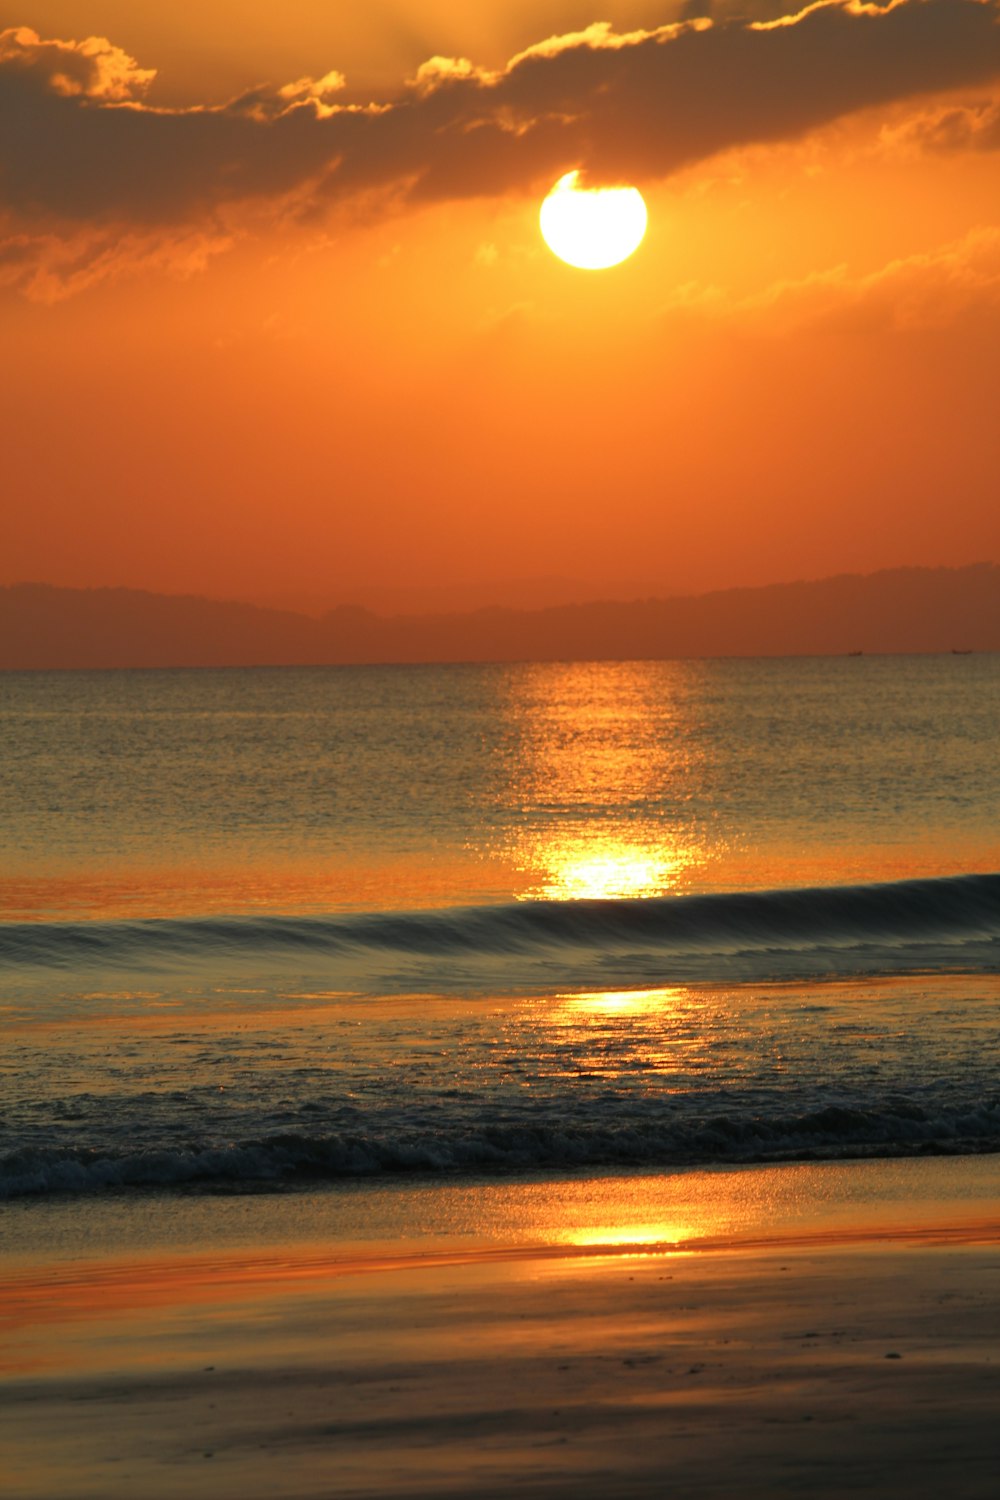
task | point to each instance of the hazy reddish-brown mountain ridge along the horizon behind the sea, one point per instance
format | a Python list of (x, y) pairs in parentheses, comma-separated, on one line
[(894, 611)]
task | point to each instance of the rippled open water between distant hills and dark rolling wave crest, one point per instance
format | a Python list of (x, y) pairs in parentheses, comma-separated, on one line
[(386, 788)]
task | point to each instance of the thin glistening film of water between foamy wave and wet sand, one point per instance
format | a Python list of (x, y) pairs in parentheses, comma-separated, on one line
[(394, 1216)]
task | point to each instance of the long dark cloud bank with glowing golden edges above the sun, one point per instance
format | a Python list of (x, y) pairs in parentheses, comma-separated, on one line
[(80, 145)]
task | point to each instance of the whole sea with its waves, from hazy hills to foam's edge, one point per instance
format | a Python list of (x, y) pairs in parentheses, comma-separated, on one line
[(283, 928)]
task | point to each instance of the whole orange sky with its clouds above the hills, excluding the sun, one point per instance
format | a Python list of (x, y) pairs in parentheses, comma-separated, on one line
[(307, 344)]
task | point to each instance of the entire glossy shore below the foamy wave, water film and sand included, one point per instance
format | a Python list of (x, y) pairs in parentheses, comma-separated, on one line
[(815, 1330)]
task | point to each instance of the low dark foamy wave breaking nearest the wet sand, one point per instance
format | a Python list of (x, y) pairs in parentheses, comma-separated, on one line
[(296, 1159)]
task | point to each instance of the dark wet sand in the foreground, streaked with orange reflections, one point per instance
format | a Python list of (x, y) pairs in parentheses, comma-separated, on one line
[(821, 1363)]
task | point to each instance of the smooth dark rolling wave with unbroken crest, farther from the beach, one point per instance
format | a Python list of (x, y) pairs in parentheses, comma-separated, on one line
[(863, 928)]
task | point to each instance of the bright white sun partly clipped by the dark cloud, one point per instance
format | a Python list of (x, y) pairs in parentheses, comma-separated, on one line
[(593, 227)]
